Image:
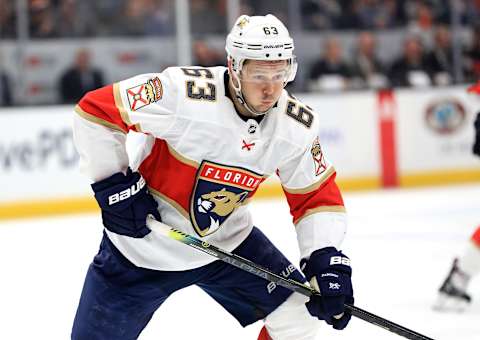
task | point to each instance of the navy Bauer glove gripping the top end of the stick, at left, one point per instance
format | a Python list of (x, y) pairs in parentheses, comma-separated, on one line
[(125, 203)]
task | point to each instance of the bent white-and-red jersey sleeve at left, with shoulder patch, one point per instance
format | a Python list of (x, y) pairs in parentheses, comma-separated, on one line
[(146, 103)]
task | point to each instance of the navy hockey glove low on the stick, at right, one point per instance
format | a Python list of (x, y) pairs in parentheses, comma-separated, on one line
[(328, 271)]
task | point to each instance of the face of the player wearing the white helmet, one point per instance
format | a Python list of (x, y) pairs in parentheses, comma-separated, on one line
[(263, 82)]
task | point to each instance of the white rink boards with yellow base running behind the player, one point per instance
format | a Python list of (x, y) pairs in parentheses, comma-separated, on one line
[(430, 141)]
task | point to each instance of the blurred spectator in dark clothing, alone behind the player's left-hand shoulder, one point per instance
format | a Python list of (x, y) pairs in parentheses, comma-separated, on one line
[(79, 79)]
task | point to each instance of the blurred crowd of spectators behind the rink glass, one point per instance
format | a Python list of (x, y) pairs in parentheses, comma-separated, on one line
[(418, 64)]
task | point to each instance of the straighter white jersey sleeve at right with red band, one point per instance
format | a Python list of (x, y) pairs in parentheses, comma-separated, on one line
[(316, 203)]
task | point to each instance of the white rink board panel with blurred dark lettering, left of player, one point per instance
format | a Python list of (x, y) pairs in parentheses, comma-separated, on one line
[(38, 160)]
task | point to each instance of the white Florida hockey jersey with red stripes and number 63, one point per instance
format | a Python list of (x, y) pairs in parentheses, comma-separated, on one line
[(203, 162)]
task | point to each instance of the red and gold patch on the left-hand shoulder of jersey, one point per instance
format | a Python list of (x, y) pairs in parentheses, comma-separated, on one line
[(144, 94)]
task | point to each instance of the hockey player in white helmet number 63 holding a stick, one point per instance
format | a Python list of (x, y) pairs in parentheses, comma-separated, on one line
[(213, 136)]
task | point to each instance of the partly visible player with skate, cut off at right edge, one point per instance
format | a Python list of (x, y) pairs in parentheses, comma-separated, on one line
[(453, 292)]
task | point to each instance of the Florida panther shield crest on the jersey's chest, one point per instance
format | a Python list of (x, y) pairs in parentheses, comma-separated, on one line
[(218, 191)]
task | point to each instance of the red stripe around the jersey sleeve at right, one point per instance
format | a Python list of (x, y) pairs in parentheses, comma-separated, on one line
[(326, 198)]
